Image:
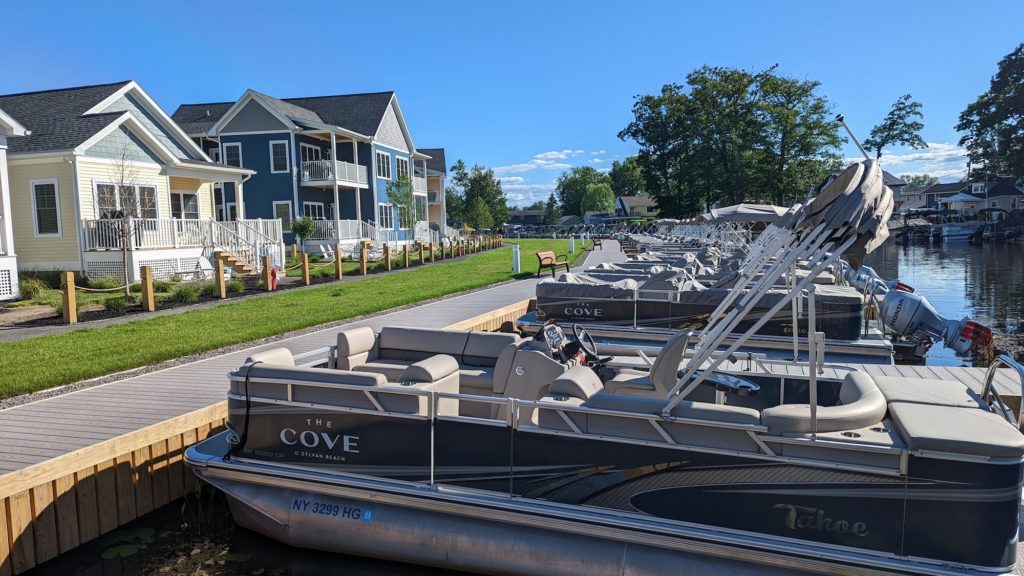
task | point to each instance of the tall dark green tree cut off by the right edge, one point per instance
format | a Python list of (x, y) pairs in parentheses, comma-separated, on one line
[(994, 125)]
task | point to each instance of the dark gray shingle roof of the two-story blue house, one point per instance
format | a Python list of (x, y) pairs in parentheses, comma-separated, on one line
[(359, 113)]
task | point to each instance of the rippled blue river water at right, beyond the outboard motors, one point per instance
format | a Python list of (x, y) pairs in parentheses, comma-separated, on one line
[(982, 281)]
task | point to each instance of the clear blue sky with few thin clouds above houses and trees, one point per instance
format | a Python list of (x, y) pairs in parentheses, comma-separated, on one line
[(529, 89)]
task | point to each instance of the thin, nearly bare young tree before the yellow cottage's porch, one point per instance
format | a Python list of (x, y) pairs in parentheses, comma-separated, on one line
[(126, 209)]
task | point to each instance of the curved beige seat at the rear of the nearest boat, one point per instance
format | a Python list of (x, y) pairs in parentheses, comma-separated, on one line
[(862, 405)]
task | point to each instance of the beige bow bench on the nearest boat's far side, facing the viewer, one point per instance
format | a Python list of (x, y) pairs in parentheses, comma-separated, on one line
[(479, 355)]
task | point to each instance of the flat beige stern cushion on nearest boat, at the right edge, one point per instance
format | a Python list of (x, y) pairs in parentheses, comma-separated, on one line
[(950, 429)]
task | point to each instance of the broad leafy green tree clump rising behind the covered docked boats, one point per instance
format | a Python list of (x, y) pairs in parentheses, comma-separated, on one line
[(731, 136)]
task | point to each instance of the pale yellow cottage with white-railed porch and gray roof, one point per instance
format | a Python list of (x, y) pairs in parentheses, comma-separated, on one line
[(105, 171)]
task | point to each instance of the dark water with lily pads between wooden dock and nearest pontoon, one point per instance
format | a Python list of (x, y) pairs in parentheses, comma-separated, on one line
[(197, 538)]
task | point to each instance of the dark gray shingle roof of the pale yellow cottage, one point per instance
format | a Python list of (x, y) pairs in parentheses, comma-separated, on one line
[(55, 117)]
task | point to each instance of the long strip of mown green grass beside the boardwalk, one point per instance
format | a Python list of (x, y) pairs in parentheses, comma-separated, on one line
[(45, 362)]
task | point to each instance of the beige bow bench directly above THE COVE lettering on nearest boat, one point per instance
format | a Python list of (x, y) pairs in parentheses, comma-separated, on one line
[(315, 385)]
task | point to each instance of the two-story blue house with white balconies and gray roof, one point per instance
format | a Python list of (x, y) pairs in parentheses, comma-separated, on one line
[(330, 158)]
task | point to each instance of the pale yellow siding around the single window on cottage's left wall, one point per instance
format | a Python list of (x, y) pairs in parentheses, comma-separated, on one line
[(48, 253)]
